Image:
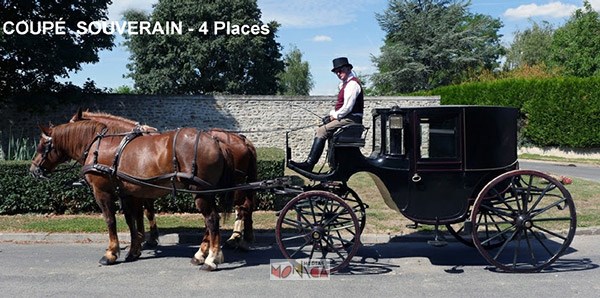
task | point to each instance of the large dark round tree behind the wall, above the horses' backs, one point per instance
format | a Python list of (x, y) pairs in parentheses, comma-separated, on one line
[(205, 60)]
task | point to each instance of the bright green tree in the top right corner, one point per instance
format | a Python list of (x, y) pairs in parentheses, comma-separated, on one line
[(576, 44)]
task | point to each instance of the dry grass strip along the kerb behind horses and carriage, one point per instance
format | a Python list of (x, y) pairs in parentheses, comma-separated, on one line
[(380, 218)]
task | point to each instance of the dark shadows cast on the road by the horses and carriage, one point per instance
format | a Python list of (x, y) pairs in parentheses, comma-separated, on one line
[(371, 259)]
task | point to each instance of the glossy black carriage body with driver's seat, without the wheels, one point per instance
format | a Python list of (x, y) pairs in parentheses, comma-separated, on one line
[(429, 163)]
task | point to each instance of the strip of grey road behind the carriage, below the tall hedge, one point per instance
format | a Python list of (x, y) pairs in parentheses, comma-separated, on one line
[(587, 172)]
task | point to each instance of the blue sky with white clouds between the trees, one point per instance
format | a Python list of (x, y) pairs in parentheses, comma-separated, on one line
[(323, 30)]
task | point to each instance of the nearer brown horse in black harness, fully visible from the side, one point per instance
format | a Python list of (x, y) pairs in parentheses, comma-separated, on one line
[(140, 168)]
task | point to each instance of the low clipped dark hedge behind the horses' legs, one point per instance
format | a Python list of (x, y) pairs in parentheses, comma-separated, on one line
[(21, 193)]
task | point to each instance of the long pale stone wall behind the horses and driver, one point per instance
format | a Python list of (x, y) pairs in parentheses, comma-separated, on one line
[(263, 119)]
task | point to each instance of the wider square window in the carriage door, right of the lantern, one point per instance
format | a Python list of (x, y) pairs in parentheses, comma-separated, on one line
[(438, 137)]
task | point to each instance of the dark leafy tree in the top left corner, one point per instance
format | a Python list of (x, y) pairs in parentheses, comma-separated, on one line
[(31, 62)]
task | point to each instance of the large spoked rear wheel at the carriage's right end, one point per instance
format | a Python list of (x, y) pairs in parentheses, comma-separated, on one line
[(531, 221)]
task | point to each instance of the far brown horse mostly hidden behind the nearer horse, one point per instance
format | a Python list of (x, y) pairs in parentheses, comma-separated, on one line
[(244, 161)]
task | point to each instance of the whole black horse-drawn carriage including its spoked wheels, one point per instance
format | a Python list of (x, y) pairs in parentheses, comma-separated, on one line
[(451, 165)]
